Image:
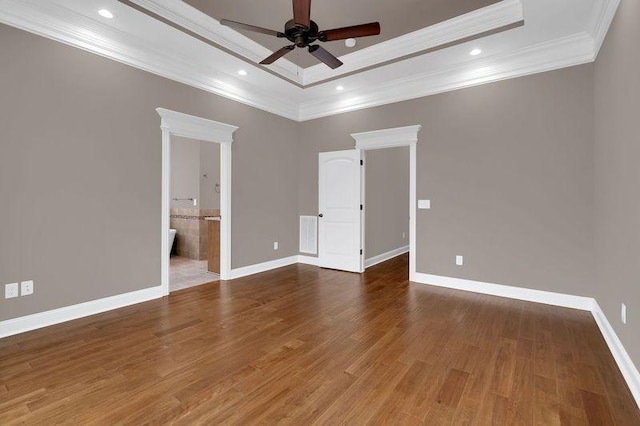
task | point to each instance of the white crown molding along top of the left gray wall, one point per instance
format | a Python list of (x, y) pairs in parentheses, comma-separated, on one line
[(58, 23)]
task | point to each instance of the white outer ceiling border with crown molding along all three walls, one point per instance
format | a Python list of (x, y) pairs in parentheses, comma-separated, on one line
[(180, 61)]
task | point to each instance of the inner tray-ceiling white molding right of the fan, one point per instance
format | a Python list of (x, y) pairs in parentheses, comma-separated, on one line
[(490, 18)]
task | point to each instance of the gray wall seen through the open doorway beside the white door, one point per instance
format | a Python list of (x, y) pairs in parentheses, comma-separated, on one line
[(386, 200)]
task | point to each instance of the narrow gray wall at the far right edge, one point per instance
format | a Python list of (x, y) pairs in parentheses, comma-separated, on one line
[(617, 152)]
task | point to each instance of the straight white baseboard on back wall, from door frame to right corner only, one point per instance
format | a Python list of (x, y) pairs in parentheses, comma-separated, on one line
[(527, 294)]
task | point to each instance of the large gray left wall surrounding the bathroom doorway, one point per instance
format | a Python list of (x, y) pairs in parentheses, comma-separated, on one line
[(69, 119)]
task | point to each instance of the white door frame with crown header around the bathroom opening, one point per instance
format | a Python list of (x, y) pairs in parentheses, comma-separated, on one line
[(188, 126)]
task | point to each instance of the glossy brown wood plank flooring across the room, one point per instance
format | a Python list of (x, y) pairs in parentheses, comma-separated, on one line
[(302, 345)]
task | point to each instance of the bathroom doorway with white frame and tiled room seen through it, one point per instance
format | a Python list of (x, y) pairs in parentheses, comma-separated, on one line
[(199, 225)]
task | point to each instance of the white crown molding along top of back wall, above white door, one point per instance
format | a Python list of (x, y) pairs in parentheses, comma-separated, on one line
[(564, 52)]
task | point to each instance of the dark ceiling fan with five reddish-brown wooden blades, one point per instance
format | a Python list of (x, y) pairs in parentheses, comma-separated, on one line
[(302, 32)]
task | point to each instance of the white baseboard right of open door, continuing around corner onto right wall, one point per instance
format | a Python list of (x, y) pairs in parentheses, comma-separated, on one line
[(622, 358)]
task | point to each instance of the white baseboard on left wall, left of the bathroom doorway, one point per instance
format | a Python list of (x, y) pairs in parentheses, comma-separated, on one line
[(68, 313)]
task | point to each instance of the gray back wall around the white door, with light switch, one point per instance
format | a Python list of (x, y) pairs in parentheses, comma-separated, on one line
[(509, 169)]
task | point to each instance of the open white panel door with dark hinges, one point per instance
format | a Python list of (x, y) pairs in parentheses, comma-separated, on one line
[(340, 215)]
